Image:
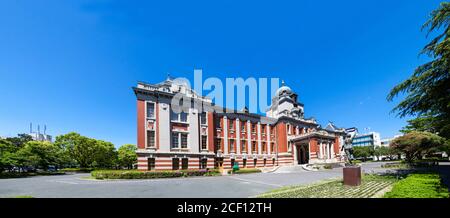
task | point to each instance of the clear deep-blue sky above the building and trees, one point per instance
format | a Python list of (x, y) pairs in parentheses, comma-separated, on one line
[(71, 64)]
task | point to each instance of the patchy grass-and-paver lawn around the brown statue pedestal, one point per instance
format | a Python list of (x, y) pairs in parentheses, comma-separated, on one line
[(371, 185)]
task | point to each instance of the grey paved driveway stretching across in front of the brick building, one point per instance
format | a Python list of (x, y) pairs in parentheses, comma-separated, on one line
[(204, 187)]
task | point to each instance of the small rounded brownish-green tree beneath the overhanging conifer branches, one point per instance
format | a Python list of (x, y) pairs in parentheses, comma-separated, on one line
[(415, 145)]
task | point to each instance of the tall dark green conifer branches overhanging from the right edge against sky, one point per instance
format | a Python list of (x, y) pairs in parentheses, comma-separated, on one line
[(428, 89)]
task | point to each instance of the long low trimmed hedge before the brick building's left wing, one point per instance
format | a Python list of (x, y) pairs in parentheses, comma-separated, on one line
[(134, 174)]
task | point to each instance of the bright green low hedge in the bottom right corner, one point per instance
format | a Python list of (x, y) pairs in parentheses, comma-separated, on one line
[(419, 185)]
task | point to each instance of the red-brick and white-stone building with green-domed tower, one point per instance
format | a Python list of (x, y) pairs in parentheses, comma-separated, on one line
[(218, 137)]
